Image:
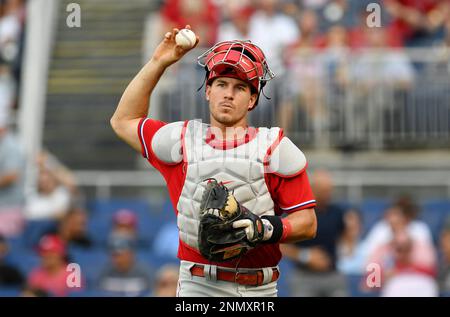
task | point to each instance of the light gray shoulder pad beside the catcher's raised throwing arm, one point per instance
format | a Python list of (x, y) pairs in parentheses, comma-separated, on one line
[(166, 143)]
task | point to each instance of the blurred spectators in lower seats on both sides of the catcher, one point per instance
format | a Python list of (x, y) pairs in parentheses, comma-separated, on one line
[(400, 246)]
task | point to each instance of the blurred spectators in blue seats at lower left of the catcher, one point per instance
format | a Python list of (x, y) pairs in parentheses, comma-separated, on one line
[(115, 258)]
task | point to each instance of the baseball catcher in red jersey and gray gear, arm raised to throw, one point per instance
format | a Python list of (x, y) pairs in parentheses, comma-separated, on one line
[(229, 183)]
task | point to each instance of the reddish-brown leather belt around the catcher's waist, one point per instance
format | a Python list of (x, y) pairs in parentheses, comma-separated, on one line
[(253, 277)]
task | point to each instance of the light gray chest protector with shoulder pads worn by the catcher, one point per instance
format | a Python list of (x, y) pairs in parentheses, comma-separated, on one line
[(241, 168)]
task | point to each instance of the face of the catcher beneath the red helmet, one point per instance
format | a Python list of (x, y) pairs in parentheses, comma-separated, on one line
[(229, 101)]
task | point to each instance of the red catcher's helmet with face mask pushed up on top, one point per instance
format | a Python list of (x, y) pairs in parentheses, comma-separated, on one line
[(237, 59)]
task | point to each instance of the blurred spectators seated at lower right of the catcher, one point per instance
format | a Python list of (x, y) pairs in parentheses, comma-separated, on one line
[(395, 255)]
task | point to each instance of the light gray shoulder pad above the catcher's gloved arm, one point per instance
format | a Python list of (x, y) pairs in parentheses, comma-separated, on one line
[(286, 159)]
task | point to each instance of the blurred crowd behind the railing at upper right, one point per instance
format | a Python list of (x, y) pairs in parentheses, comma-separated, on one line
[(331, 63)]
